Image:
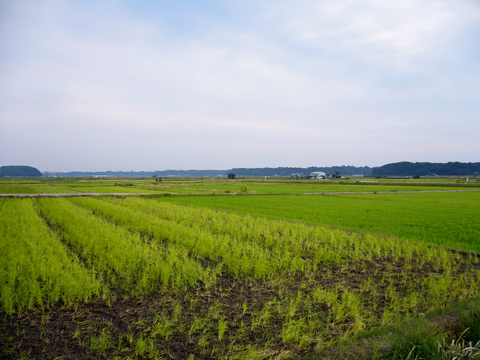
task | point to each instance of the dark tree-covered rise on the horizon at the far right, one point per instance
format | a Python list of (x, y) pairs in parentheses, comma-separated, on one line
[(424, 169)]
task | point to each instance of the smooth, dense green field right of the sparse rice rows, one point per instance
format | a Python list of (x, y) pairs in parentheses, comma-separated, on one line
[(447, 219)]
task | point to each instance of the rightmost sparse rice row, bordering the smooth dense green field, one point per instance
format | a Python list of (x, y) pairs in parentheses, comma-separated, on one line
[(321, 244)]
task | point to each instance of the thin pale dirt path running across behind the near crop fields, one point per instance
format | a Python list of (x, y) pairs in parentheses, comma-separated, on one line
[(65, 195)]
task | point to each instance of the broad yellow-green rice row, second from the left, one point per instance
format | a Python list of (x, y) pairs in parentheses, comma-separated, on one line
[(122, 258)]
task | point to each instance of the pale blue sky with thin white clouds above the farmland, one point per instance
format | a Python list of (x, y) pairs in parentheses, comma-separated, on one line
[(153, 85)]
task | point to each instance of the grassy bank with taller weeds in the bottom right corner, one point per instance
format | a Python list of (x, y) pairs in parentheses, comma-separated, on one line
[(440, 334)]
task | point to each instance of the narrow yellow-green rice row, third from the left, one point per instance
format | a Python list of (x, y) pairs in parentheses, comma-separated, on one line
[(241, 257)]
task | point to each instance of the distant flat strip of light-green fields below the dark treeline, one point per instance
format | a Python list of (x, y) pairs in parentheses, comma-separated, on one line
[(220, 186)]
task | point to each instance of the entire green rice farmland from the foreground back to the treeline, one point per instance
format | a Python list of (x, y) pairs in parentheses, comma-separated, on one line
[(271, 273)]
